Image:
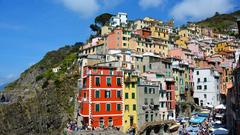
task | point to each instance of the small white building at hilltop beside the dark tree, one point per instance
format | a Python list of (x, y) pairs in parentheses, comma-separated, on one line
[(120, 18)]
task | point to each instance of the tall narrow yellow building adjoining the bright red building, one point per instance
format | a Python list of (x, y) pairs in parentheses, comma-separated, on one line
[(130, 101)]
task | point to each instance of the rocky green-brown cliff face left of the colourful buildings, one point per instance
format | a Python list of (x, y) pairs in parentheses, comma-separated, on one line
[(40, 101)]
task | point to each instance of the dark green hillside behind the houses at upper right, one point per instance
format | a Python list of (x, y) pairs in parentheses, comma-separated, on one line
[(221, 23)]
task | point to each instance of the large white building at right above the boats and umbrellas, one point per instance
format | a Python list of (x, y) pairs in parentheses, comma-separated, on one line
[(206, 87)]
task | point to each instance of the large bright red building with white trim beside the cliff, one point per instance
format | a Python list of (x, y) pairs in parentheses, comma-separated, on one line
[(100, 97)]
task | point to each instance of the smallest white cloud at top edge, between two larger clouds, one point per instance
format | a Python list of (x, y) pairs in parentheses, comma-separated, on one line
[(145, 4)]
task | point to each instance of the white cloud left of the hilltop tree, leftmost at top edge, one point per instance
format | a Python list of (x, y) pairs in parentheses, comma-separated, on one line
[(85, 8)]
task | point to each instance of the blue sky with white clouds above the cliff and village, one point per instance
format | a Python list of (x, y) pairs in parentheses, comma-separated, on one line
[(31, 28)]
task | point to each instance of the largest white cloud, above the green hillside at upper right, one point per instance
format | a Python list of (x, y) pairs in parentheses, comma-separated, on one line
[(200, 9)]
